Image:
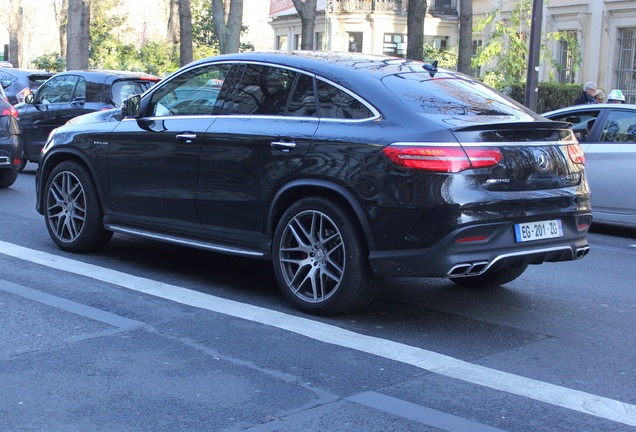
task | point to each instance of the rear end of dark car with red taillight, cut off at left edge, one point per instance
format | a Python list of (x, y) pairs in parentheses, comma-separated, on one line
[(10, 144)]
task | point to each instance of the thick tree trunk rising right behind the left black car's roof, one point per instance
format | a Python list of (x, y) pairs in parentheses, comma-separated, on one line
[(77, 40)]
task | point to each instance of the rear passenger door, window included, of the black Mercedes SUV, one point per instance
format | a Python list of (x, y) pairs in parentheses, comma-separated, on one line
[(265, 127)]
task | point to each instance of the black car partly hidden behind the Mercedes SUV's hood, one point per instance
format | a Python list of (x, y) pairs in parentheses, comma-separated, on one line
[(72, 93)]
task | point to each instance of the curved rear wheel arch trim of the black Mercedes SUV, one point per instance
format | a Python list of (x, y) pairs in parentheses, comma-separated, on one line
[(298, 189)]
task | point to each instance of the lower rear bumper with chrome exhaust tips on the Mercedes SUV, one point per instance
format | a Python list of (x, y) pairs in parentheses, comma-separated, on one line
[(450, 258)]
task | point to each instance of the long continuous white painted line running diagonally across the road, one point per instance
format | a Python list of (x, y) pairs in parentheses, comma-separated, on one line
[(587, 403)]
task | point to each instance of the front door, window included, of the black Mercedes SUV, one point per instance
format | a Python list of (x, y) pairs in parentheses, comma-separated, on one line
[(153, 160)]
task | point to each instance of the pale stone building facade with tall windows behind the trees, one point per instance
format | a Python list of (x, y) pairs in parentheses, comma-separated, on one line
[(605, 31)]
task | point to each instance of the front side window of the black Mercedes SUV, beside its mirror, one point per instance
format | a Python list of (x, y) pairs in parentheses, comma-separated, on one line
[(194, 92)]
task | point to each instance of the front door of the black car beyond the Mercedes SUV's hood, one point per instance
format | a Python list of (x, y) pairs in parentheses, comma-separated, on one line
[(51, 108)]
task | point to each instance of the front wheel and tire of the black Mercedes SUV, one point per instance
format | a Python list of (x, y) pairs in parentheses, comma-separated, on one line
[(72, 210)]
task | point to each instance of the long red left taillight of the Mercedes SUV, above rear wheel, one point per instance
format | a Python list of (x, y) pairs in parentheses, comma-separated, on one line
[(442, 159)]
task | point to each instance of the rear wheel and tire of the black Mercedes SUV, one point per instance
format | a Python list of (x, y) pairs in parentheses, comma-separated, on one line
[(321, 259)]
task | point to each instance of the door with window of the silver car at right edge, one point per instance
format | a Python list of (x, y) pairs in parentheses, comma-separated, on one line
[(610, 163)]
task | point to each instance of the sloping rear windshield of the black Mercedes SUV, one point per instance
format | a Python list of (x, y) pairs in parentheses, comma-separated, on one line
[(451, 95)]
